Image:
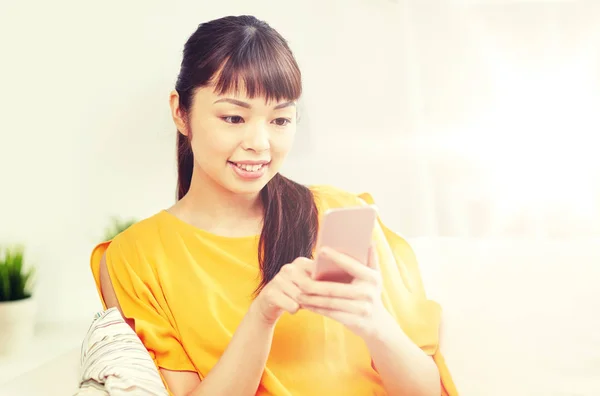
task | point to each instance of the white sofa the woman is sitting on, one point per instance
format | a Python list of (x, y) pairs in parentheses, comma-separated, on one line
[(521, 317)]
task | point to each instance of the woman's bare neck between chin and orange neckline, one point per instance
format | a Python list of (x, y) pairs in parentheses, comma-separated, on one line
[(209, 206)]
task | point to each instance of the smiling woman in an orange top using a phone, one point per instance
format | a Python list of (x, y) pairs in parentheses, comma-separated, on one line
[(219, 287)]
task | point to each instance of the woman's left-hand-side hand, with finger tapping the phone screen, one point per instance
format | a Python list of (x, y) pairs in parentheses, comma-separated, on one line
[(281, 293)]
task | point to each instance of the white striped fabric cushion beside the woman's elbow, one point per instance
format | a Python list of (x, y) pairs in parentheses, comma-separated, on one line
[(115, 362)]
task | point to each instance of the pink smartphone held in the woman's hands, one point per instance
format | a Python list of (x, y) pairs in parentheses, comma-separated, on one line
[(349, 231)]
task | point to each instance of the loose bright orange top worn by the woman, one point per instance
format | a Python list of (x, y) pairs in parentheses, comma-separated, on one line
[(188, 290)]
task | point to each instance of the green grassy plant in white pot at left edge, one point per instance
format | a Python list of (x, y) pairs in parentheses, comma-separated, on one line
[(17, 307)]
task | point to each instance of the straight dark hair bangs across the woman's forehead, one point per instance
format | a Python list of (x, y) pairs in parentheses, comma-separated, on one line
[(258, 67)]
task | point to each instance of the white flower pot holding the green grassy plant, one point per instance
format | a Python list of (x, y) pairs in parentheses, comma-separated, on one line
[(17, 322)]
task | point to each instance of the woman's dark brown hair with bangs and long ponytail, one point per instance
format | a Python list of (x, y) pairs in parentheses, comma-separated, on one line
[(232, 52)]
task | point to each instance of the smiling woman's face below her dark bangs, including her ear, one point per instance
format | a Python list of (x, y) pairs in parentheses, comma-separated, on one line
[(238, 142)]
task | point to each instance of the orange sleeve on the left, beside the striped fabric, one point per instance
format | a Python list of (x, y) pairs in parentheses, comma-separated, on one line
[(140, 297)]
